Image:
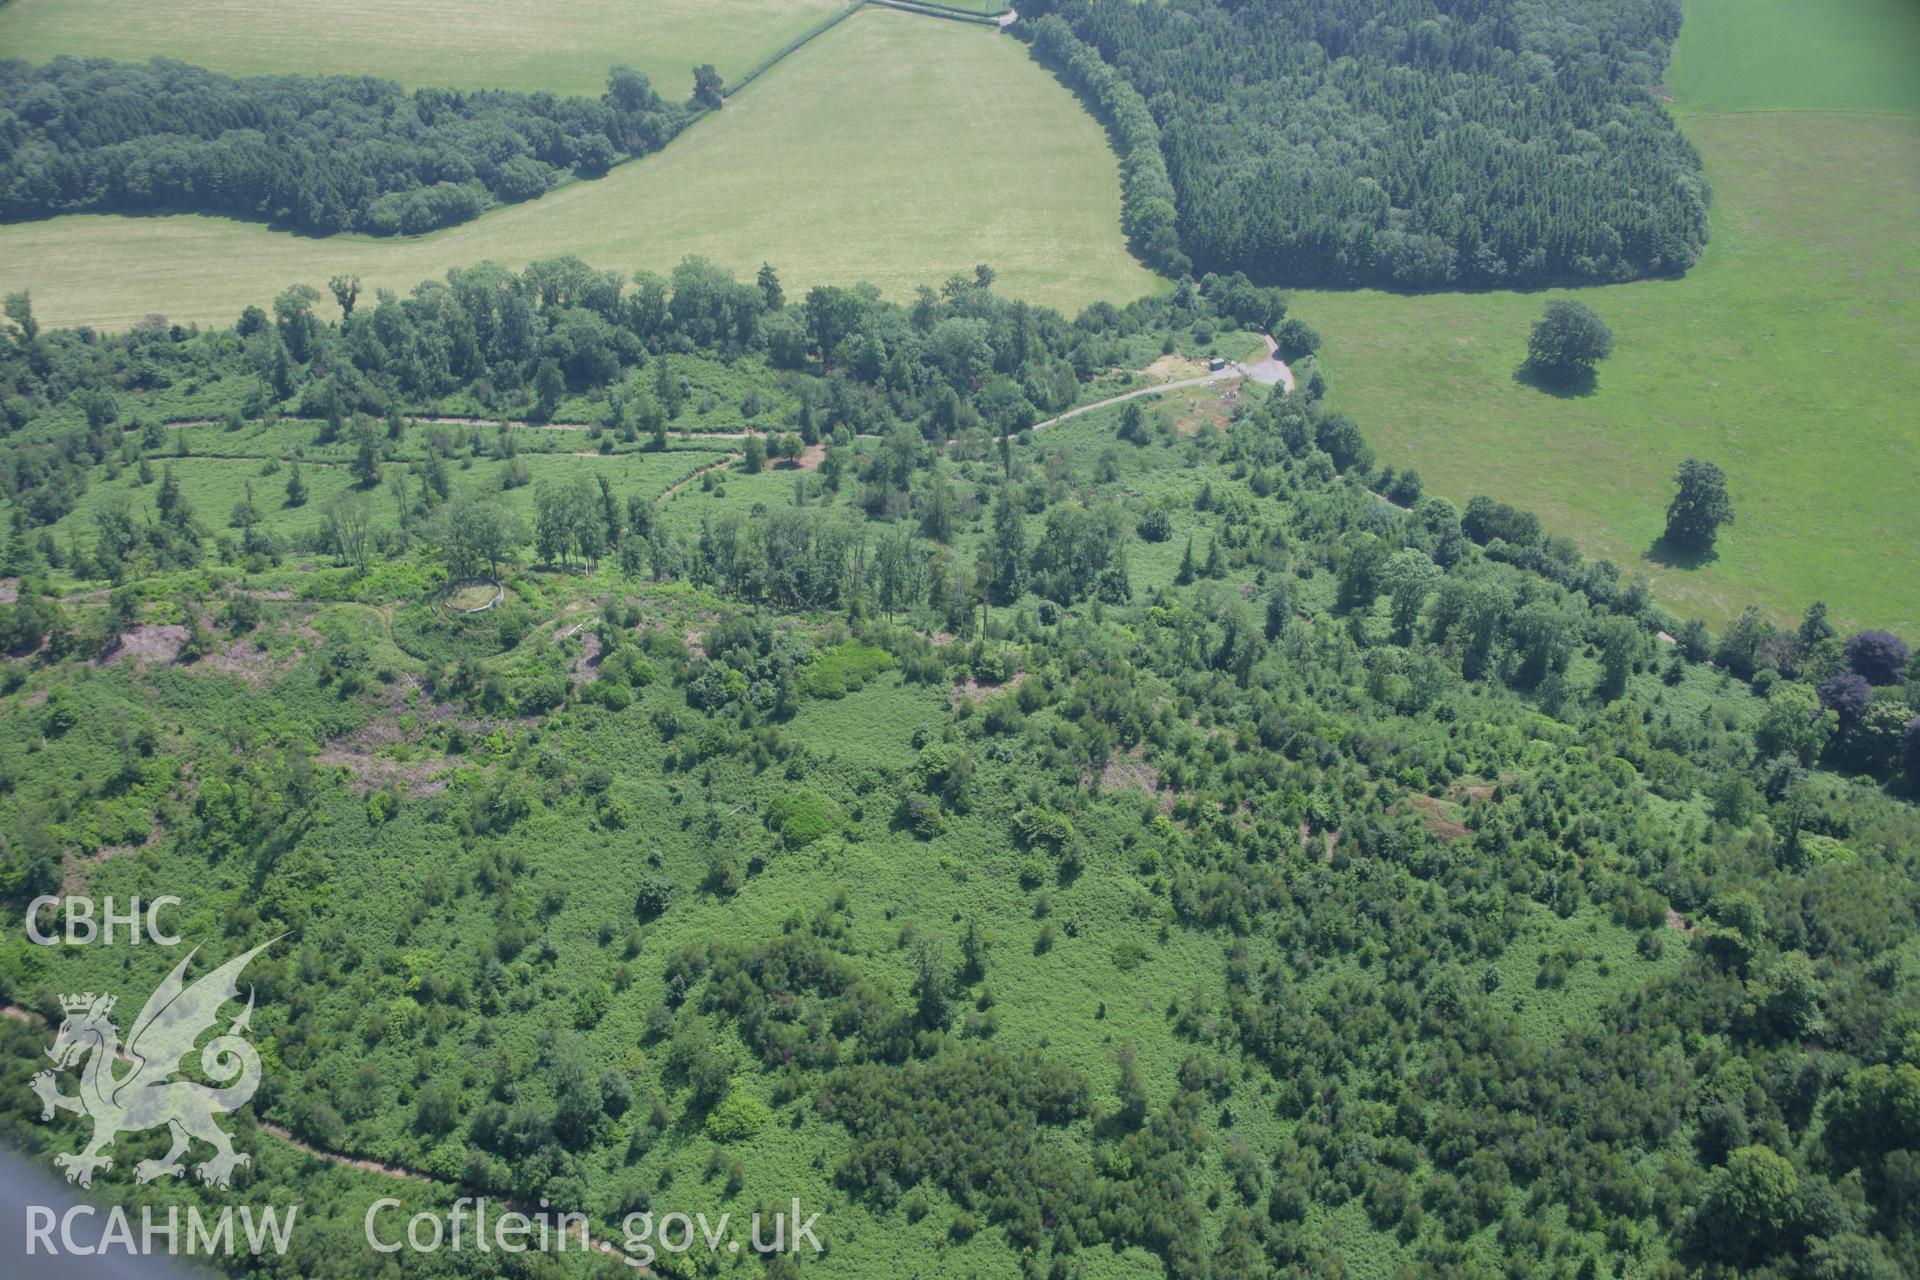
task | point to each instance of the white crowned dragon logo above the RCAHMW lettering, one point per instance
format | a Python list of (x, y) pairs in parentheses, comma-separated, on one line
[(149, 1095)]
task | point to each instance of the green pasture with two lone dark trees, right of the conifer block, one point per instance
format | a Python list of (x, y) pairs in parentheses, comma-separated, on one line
[(1790, 354)]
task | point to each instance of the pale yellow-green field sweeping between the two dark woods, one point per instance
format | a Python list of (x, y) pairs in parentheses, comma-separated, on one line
[(894, 149)]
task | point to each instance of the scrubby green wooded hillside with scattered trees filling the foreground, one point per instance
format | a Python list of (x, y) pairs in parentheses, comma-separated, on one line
[(1541, 945)]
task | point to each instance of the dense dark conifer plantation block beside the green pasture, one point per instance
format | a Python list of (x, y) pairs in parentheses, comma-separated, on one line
[(1412, 145)]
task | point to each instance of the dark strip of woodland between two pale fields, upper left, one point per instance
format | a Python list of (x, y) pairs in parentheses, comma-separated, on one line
[(318, 154)]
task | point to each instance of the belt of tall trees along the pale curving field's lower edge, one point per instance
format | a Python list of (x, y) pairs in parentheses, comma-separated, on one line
[(953, 362)]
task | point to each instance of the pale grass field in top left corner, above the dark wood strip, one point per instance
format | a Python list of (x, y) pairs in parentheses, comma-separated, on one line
[(529, 45)]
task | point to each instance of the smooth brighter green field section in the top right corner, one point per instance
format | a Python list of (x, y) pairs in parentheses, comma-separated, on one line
[(1798, 55)]
